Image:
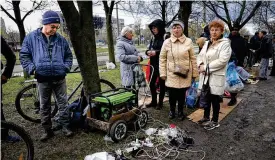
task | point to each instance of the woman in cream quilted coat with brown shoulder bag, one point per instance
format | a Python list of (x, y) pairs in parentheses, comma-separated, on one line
[(177, 67)]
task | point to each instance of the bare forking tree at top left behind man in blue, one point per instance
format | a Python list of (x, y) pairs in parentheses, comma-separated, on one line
[(18, 19)]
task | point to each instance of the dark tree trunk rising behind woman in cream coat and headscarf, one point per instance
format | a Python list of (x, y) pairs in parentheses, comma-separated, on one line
[(184, 13)]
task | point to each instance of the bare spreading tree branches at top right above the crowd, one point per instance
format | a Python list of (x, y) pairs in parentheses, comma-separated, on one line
[(234, 13)]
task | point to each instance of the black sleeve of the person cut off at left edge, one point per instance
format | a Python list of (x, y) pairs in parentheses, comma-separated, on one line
[(10, 58)]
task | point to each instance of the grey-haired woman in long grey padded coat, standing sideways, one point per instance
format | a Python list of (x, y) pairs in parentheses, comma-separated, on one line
[(127, 54)]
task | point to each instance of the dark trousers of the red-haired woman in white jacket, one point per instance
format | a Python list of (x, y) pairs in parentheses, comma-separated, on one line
[(215, 100)]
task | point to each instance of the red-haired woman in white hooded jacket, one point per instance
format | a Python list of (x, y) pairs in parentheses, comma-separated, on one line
[(216, 54)]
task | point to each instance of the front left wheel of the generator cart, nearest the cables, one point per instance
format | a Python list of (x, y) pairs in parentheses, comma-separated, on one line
[(118, 130)]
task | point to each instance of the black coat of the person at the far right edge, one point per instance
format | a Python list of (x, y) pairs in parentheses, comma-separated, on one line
[(266, 47)]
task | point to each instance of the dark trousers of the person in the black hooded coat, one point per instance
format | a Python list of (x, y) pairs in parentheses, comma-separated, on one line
[(153, 88)]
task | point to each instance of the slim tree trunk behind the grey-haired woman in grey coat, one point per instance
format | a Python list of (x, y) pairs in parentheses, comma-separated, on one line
[(108, 13)]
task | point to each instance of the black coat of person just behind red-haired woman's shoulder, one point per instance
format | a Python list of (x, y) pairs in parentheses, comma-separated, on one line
[(239, 46)]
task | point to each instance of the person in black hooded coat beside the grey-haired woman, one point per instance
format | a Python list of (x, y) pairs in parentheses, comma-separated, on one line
[(157, 28)]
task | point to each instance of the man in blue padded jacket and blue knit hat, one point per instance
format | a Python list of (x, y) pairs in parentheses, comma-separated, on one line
[(46, 55)]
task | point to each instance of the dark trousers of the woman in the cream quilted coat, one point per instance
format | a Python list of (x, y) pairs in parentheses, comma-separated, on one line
[(177, 95)]
